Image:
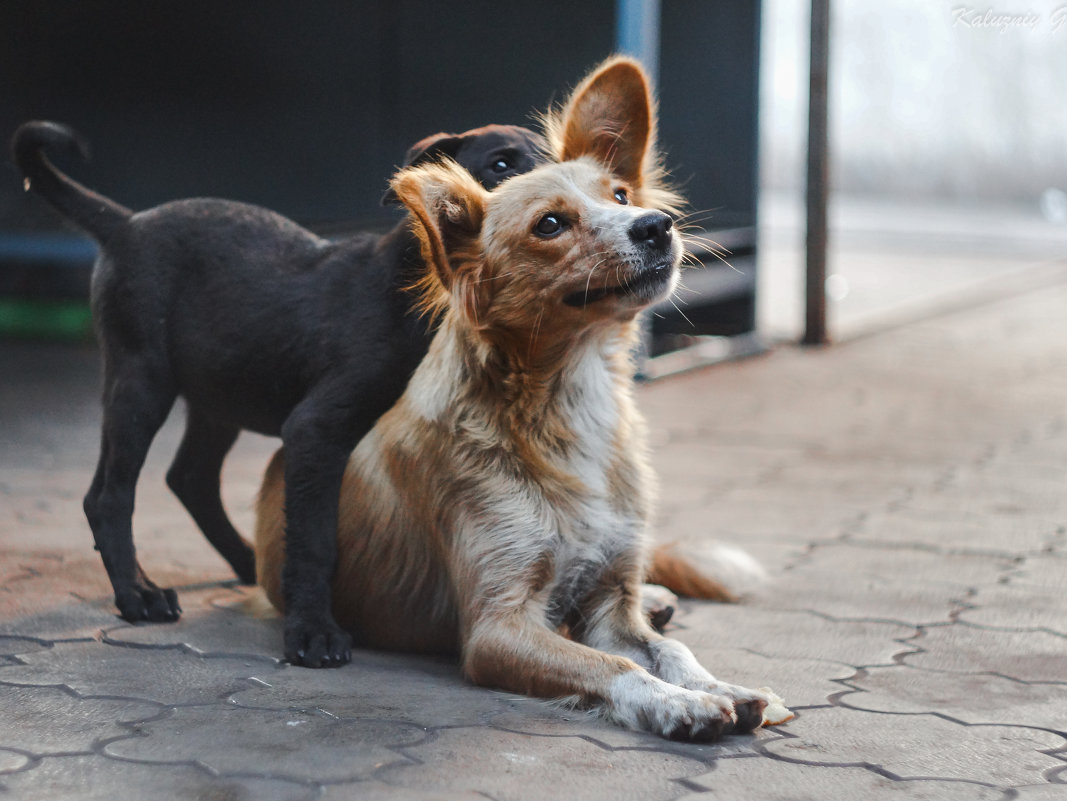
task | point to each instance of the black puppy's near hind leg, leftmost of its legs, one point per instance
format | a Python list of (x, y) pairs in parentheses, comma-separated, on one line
[(136, 404)]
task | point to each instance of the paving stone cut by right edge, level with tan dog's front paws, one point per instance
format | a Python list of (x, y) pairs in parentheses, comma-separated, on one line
[(970, 698)]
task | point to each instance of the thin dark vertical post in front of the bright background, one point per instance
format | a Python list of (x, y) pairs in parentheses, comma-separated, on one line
[(816, 330)]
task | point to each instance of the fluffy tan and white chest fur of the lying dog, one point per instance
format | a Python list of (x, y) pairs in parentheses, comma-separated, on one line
[(553, 476)]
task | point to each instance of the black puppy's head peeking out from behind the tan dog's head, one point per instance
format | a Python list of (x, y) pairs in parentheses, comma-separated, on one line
[(491, 154)]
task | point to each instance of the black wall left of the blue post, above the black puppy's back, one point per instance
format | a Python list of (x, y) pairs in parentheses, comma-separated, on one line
[(301, 107)]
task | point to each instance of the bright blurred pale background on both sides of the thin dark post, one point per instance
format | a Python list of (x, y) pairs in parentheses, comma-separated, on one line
[(948, 152)]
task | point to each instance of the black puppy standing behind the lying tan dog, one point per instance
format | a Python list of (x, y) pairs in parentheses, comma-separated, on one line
[(259, 325)]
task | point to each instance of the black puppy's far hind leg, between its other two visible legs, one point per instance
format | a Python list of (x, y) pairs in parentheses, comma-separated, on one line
[(195, 478)]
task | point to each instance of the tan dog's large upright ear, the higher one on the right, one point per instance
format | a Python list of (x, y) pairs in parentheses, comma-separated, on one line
[(611, 117)]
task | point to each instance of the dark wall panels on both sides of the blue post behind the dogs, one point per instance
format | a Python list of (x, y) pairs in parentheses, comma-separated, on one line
[(307, 108)]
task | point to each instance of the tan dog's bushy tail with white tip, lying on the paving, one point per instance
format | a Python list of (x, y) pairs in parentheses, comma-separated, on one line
[(710, 571)]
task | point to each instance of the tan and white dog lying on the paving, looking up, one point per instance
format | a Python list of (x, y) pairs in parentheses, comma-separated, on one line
[(501, 510)]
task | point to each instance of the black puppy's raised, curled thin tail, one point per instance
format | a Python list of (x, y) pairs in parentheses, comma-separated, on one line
[(95, 214)]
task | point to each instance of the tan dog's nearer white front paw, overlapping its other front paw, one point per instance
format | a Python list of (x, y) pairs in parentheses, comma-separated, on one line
[(643, 702)]
